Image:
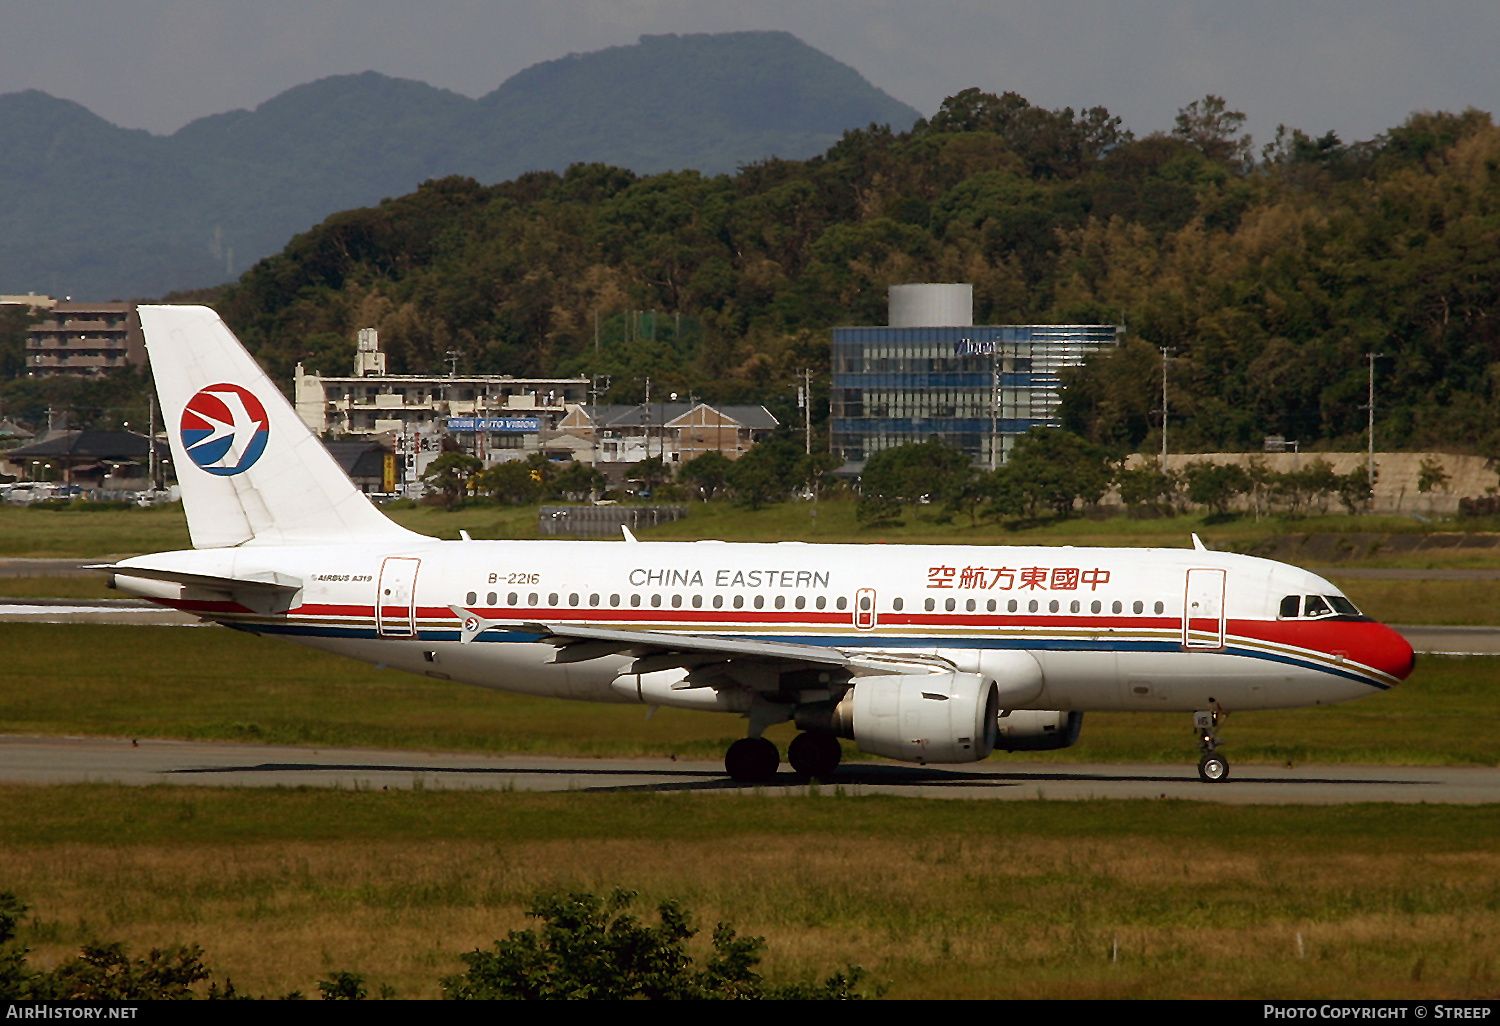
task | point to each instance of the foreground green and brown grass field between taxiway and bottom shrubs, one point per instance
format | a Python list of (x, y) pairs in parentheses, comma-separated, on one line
[(943, 899)]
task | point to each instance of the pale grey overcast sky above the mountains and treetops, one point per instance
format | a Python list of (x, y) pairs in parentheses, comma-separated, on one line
[(1351, 67)]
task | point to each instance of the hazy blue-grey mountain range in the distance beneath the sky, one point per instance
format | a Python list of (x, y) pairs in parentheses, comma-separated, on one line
[(92, 211)]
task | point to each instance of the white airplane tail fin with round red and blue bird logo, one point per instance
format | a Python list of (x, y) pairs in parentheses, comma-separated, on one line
[(250, 469)]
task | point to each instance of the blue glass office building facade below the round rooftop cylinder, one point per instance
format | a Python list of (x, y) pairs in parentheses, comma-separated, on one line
[(977, 388)]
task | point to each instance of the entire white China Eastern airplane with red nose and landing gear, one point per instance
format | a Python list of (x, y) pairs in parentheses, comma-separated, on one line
[(928, 655)]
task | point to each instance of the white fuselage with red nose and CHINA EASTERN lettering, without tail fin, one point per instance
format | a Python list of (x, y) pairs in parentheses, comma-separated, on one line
[(1112, 629)]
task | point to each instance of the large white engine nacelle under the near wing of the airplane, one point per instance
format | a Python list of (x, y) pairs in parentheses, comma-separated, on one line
[(925, 718)]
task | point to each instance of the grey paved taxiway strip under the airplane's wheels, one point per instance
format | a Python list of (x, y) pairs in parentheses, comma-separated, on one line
[(58, 761)]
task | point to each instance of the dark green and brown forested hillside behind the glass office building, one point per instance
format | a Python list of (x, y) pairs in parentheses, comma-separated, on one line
[(1270, 275)]
